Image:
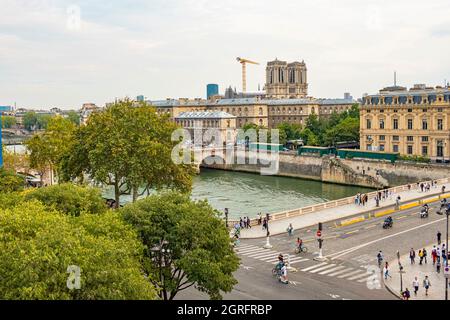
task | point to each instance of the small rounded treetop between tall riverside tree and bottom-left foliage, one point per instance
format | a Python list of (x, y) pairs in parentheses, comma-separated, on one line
[(69, 198)]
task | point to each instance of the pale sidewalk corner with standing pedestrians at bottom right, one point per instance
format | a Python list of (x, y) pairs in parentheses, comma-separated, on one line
[(437, 280)]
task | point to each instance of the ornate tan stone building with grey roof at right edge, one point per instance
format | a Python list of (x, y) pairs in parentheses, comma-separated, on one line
[(414, 122)]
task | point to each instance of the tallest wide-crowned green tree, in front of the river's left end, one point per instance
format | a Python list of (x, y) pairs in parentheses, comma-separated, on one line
[(128, 147)]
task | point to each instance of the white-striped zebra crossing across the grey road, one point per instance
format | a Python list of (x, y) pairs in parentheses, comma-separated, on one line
[(336, 270)]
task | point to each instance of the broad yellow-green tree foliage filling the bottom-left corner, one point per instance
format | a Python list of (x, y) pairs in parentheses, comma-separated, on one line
[(37, 245)]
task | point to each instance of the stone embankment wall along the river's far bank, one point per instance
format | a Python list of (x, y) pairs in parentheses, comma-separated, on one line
[(356, 172)]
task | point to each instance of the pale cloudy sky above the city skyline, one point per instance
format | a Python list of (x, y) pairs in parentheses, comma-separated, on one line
[(66, 53)]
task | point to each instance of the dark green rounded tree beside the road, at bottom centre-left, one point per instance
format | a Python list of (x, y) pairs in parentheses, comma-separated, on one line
[(197, 244)]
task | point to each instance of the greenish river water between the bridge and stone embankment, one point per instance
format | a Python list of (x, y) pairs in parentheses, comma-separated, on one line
[(248, 194)]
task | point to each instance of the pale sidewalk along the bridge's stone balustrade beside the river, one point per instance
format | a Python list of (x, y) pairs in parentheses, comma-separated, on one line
[(342, 212)]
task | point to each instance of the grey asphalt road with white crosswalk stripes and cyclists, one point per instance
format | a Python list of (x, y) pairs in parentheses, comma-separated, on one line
[(350, 250)]
